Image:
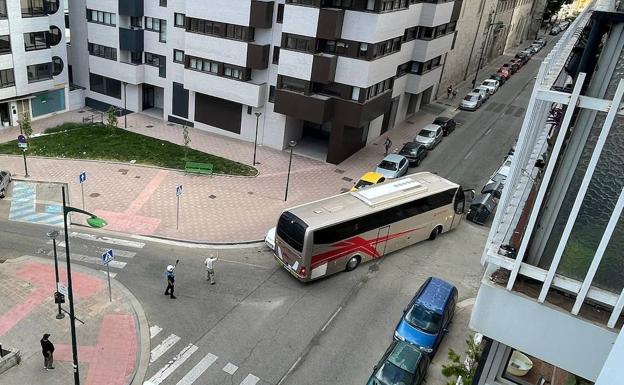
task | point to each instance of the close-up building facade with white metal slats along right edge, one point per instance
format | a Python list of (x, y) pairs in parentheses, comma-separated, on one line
[(550, 302)]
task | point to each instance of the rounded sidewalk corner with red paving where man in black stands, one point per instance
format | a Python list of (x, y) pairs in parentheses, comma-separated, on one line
[(113, 342)]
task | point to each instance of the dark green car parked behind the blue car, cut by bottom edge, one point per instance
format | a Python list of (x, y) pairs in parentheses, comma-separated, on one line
[(401, 364)]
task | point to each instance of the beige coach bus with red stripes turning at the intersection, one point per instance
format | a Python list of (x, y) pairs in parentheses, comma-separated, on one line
[(338, 233)]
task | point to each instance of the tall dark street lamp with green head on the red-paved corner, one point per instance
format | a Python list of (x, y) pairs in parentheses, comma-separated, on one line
[(95, 222)]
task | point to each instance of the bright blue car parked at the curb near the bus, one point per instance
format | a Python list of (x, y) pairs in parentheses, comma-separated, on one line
[(426, 319)]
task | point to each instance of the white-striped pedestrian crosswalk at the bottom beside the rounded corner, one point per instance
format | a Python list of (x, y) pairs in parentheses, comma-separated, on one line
[(204, 366)]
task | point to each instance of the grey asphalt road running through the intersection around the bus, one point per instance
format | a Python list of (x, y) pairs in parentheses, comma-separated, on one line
[(279, 331)]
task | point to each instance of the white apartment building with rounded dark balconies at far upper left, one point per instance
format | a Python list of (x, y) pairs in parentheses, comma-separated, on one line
[(33, 69)]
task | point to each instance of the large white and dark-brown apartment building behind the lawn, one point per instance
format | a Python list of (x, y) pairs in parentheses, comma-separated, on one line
[(330, 74)]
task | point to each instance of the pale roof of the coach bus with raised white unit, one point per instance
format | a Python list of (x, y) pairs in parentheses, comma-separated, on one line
[(342, 207)]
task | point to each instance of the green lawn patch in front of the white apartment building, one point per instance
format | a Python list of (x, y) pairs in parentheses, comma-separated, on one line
[(96, 141)]
